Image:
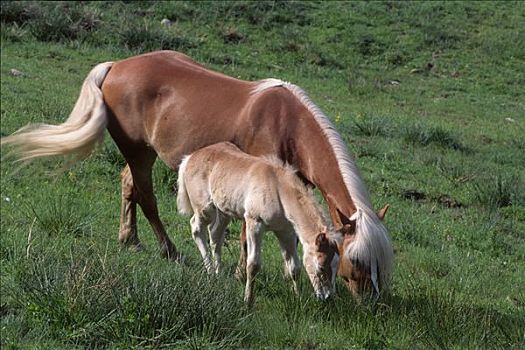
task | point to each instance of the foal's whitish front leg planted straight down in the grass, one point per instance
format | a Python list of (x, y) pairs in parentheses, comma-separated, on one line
[(254, 232)]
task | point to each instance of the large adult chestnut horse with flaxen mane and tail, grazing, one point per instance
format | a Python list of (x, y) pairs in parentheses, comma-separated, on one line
[(163, 104)]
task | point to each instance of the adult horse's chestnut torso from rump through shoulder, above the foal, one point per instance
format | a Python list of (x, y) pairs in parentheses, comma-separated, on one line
[(166, 102)]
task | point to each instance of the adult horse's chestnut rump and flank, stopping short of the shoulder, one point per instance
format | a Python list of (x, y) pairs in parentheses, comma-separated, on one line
[(166, 101)]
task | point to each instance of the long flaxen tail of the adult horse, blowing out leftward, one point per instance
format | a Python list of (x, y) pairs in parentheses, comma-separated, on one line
[(78, 135)]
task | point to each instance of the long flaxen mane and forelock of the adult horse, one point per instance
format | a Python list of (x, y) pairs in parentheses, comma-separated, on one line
[(371, 245)]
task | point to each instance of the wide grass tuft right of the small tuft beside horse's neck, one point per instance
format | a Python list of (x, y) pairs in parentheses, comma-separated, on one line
[(420, 135)]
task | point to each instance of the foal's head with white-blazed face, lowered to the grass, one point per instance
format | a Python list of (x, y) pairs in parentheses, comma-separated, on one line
[(321, 261)]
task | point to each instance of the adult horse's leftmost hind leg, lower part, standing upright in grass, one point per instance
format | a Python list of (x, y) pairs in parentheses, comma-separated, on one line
[(128, 213)]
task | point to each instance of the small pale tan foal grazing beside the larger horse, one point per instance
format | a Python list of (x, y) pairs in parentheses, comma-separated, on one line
[(219, 182)]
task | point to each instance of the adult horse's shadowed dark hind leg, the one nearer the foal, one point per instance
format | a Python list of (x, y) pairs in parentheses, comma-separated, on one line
[(141, 166)]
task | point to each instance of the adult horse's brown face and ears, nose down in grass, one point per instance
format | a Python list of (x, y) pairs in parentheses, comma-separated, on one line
[(360, 278)]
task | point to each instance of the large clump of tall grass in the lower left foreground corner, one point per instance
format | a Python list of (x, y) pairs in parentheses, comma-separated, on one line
[(86, 303)]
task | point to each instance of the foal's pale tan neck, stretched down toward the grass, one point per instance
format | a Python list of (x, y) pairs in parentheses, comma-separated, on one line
[(301, 210)]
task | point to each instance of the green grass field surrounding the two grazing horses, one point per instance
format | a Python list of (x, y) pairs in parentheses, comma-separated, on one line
[(430, 100)]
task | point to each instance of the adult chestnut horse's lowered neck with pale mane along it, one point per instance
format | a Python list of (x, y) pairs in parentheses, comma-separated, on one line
[(311, 144)]
